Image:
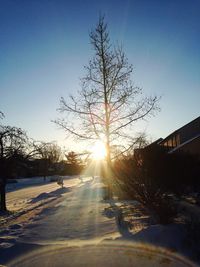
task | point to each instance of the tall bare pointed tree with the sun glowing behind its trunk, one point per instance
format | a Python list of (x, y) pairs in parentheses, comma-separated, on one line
[(108, 104)]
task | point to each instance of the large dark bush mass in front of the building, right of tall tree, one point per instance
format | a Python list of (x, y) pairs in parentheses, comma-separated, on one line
[(152, 174)]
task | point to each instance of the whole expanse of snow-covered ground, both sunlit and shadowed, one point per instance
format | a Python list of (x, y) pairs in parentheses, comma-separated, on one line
[(45, 214)]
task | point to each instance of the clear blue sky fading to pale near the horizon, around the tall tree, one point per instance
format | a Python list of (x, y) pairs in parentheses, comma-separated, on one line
[(44, 45)]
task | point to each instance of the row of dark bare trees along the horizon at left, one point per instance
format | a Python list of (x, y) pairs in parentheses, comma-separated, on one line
[(21, 156)]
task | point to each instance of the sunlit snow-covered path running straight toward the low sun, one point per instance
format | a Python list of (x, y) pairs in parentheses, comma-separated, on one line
[(78, 216)]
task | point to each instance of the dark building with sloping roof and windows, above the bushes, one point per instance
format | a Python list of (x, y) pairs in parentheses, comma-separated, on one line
[(186, 138)]
